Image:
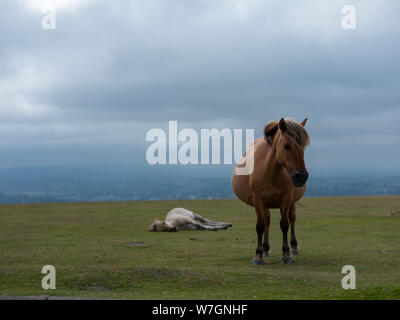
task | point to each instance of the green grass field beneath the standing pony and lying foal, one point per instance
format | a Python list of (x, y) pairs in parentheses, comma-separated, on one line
[(88, 243)]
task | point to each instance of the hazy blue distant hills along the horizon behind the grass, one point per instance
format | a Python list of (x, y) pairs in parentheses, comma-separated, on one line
[(69, 184)]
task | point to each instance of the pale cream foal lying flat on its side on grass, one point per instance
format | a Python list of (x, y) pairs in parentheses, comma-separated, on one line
[(183, 219)]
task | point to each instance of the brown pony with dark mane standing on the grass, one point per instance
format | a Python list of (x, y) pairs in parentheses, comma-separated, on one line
[(278, 180)]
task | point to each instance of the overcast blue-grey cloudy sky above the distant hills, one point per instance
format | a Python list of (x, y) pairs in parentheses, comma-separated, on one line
[(87, 92)]
